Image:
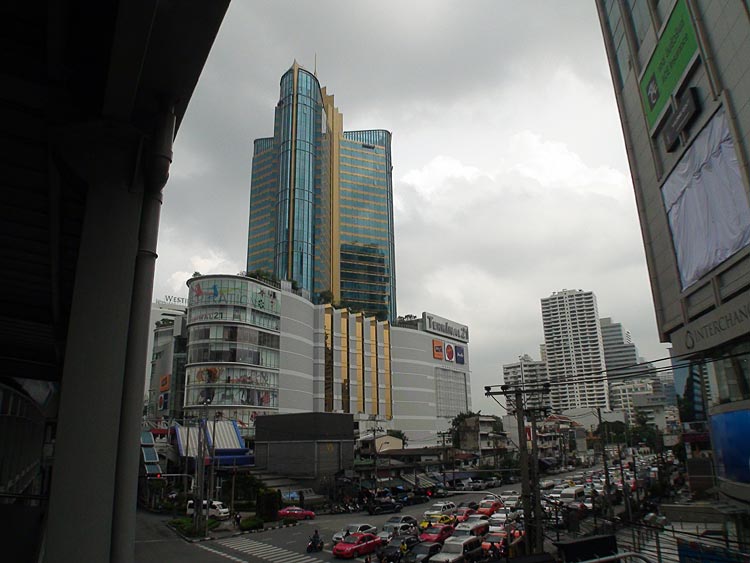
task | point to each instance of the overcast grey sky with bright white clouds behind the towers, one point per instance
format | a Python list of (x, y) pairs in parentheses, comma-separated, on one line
[(510, 176)]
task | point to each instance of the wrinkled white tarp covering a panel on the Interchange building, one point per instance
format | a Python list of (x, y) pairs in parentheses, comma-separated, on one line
[(707, 203)]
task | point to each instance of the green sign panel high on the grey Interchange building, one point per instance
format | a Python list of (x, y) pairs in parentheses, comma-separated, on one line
[(675, 51)]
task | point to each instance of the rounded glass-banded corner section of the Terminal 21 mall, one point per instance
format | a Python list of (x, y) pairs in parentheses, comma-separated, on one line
[(232, 367)]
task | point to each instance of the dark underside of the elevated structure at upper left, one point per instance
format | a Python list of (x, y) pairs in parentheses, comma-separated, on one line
[(66, 65)]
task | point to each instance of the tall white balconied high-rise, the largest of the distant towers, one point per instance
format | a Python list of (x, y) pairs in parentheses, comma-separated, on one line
[(575, 353)]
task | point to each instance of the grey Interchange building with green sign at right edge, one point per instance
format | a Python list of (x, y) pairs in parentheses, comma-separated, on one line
[(681, 76)]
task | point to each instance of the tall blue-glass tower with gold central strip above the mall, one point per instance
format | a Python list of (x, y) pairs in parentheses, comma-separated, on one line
[(321, 202)]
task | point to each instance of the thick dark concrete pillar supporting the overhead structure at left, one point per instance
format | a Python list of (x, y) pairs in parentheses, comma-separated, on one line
[(83, 477)]
